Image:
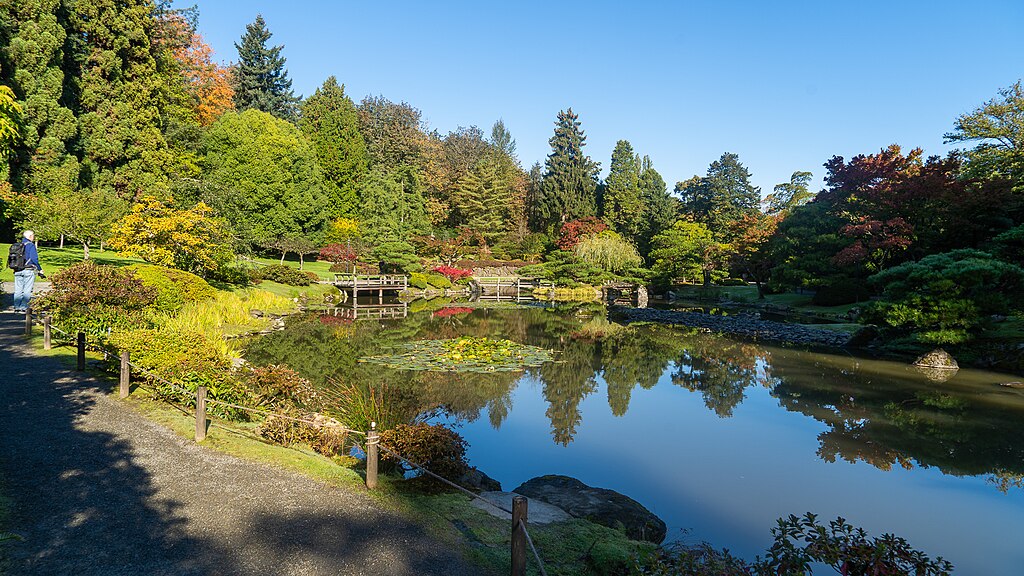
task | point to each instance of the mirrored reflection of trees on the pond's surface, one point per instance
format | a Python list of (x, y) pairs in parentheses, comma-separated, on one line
[(881, 414)]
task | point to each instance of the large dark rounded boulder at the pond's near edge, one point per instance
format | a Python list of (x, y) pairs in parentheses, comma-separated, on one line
[(600, 506)]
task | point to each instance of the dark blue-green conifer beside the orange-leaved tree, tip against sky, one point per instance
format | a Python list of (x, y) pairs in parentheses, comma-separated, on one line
[(261, 79)]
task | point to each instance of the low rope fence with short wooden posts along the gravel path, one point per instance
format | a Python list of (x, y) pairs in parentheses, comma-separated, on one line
[(521, 536)]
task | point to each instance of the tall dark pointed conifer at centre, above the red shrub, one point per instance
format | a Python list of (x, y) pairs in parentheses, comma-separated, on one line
[(570, 188)]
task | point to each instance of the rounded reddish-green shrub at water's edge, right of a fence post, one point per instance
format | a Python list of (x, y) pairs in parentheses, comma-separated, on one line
[(434, 446)]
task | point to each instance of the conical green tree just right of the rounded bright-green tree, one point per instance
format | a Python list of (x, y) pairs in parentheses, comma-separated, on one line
[(332, 125)]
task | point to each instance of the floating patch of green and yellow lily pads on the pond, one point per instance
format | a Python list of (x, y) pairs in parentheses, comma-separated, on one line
[(464, 355)]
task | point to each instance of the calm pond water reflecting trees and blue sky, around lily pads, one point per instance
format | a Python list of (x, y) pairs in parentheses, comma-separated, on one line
[(718, 437)]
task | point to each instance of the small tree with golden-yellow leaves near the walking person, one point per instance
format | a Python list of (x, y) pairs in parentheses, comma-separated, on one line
[(192, 240)]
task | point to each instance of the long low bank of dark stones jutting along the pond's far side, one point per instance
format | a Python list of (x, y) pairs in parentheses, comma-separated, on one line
[(741, 325)]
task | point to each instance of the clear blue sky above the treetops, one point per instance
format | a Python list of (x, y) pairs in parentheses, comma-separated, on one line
[(784, 85)]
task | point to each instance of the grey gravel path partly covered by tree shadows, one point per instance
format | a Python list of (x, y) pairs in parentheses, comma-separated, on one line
[(97, 489)]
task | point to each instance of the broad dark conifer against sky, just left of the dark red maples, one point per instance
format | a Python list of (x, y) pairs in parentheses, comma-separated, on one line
[(722, 197)]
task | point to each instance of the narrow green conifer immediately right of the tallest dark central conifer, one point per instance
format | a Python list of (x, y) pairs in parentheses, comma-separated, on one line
[(623, 201)]
